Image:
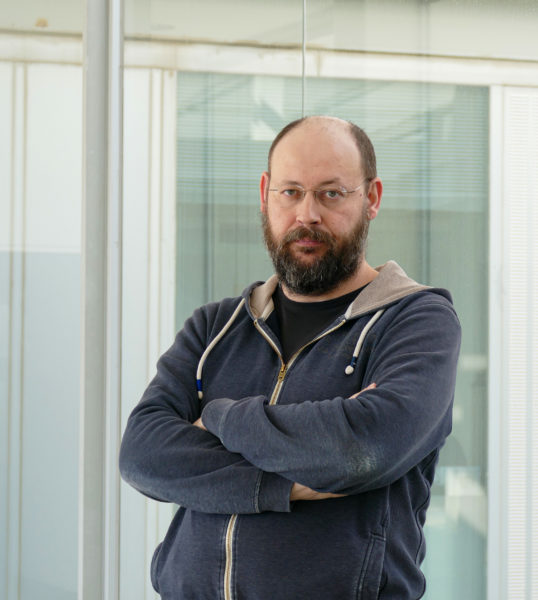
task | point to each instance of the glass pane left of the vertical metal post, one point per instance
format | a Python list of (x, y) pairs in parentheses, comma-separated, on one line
[(40, 175)]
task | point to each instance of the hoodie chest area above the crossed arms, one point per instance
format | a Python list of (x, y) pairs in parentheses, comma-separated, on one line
[(247, 363)]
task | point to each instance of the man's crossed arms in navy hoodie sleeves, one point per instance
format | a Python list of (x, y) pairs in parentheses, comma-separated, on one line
[(244, 456)]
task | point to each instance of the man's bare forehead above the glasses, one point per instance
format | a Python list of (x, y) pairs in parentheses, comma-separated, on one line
[(317, 150)]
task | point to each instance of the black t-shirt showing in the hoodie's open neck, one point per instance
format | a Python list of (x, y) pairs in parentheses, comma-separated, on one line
[(300, 322)]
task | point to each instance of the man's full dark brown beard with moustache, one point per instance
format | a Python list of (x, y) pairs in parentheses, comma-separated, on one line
[(338, 264)]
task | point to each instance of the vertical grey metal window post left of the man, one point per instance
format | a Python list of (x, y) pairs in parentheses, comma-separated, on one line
[(101, 267)]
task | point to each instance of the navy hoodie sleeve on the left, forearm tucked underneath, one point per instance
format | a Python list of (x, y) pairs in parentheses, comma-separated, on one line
[(166, 458)]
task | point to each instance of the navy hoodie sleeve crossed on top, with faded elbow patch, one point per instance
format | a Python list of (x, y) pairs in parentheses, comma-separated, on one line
[(351, 445)]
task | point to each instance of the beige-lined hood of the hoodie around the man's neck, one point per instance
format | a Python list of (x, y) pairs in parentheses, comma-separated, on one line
[(392, 284)]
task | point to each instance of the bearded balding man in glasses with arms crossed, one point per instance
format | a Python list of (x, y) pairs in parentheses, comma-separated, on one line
[(298, 427)]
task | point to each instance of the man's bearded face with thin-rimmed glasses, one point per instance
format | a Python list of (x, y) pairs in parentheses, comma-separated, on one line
[(315, 247)]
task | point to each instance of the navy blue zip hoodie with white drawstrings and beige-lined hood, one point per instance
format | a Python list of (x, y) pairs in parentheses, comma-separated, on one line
[(236, 535)]
